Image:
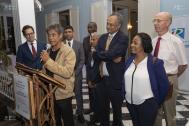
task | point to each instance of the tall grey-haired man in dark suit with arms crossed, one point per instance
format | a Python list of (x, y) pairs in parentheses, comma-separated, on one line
[(111, 48)]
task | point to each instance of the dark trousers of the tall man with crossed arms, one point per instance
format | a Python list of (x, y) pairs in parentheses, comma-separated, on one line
[(105, 95)]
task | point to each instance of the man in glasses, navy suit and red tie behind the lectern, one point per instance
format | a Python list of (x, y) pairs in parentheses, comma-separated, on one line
[(29, 52)]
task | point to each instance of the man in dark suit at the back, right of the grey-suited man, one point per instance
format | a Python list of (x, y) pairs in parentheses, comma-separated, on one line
[(92, 28)]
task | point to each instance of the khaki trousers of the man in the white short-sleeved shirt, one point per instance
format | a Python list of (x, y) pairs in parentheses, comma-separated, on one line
[(168, 108)]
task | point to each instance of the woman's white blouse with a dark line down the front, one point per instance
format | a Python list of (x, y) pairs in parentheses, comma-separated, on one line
[(137, 83)]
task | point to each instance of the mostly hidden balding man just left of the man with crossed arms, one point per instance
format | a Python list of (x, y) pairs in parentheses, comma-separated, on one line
[(93, 78)]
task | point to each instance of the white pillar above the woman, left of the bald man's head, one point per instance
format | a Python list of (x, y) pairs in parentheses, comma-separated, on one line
[(146, 12)]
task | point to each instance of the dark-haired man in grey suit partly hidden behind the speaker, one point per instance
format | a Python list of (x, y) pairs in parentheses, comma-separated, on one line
[(80, 59)]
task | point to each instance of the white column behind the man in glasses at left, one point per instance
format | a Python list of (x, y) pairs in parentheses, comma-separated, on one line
[(23, 14)]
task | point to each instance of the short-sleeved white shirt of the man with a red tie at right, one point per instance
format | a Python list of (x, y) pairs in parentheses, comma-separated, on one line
[(171, 51)]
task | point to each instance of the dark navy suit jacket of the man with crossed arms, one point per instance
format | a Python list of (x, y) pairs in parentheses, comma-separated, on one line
[(117, 48)]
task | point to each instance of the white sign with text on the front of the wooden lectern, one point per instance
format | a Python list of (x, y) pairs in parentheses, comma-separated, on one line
[(22, 96)]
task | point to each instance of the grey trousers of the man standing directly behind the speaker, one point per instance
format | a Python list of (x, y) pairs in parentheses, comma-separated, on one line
[(78, 94)]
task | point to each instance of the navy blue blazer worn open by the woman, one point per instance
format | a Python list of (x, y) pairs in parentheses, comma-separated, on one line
[(158, 77)]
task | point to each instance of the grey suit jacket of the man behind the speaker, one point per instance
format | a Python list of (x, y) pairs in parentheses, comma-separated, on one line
[(80, 57)]
